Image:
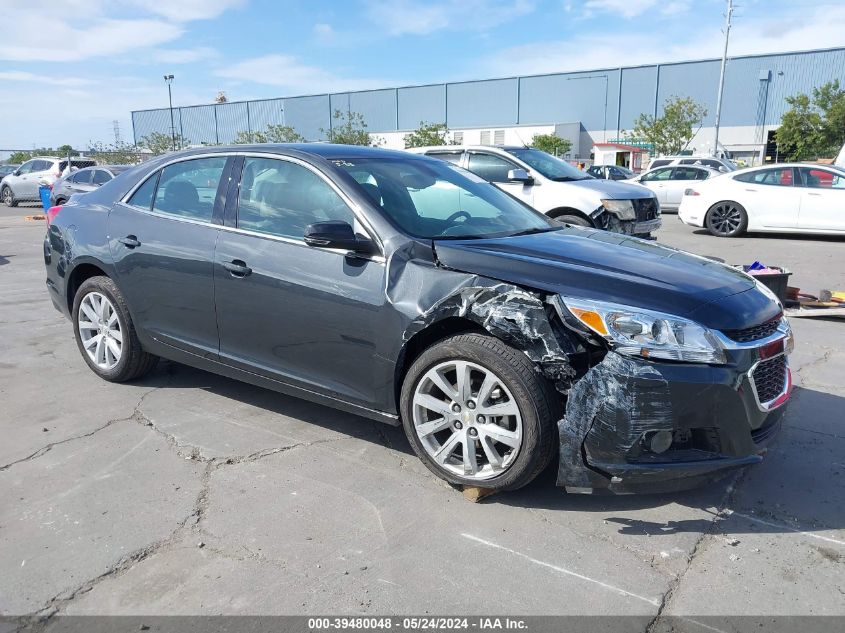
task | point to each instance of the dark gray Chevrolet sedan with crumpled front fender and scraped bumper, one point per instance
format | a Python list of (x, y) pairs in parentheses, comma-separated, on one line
[(404, 289)]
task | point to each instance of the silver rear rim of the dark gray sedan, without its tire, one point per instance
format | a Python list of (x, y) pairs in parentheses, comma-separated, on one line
[(100, 331)]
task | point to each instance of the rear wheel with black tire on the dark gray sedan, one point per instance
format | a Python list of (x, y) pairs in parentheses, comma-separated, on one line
[(132, 361)]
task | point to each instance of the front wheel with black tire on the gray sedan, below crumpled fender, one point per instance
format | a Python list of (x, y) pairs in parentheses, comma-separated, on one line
[(443, 431)]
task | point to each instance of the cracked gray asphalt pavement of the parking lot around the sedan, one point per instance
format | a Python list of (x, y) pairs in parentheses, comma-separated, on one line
[(188, 493)]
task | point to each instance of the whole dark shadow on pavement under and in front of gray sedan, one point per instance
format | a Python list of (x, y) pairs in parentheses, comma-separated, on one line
[(797, 488)]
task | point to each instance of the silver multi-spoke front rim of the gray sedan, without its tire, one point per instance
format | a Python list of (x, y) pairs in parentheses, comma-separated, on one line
[(467, 420)]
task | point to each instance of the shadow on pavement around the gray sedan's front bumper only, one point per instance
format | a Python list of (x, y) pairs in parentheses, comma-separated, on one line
[(798, 488)]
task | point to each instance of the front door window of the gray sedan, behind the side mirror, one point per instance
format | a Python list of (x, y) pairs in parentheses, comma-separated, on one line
[(281, 198)]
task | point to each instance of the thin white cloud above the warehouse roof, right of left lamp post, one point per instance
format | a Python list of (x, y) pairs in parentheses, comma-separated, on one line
[(293, 76)]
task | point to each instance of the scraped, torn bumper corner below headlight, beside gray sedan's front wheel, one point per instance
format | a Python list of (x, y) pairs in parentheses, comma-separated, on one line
[(613, 404)]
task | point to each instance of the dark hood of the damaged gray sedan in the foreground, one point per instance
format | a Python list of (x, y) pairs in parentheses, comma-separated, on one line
[(604, 266)]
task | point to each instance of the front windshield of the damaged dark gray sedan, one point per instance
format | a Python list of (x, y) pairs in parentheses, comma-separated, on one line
[(433, 199)]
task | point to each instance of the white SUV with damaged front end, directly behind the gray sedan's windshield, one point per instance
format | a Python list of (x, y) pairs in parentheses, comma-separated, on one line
[(556, 188)]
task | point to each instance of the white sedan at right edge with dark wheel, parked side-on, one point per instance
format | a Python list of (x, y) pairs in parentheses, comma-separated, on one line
[(784, 198)]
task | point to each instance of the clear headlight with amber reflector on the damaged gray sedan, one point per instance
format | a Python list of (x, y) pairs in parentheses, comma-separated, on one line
[(646, 334)]
